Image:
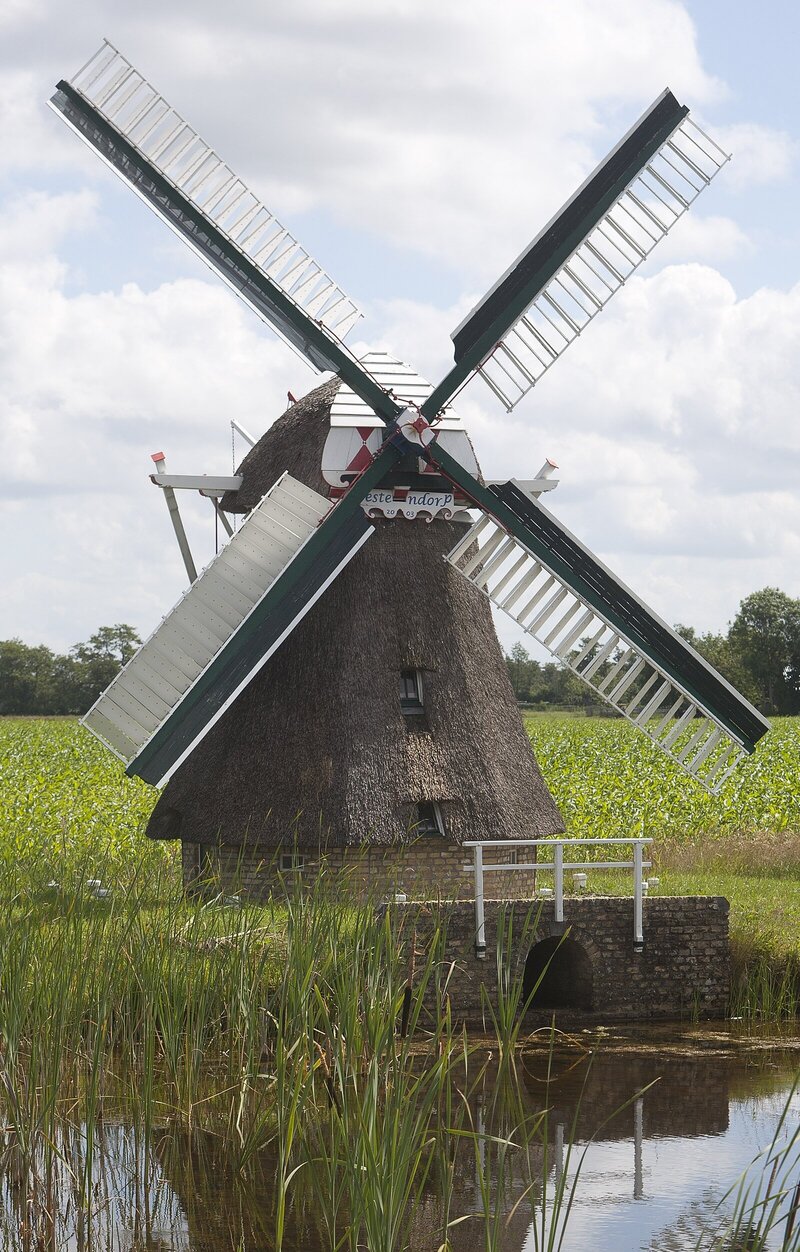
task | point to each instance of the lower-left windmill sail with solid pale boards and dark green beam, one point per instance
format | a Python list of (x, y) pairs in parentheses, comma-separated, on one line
[(225, 629)]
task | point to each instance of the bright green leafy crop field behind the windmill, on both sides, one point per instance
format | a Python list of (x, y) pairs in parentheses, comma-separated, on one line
[(66, 798)]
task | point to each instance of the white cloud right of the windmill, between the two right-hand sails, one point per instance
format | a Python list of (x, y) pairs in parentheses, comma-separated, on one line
[(673, 423)]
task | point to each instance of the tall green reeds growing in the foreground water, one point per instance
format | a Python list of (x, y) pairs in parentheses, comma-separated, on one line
[(304, 1037)]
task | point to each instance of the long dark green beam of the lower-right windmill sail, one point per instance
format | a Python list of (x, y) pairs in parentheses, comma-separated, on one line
[(495, 508)]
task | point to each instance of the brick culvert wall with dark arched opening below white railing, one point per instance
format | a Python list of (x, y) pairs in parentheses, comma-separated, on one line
[(595, 975)]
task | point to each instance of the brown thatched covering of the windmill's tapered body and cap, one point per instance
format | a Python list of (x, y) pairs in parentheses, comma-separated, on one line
[(317, 746)]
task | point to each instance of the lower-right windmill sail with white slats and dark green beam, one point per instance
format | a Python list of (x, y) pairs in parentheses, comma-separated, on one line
[(536, 572)]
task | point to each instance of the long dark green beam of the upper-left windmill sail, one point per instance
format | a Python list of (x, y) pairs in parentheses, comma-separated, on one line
[(341, 364)]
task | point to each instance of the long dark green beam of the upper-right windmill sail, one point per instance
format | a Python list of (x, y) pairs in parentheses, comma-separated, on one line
[(475, 356)]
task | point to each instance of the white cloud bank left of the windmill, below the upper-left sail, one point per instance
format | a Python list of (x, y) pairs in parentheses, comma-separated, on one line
[(91, 385)]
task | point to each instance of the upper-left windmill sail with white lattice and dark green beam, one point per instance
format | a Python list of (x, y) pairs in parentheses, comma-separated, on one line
[(113, 108)]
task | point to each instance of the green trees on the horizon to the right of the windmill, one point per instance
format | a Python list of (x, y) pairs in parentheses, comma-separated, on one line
[(759, 655)]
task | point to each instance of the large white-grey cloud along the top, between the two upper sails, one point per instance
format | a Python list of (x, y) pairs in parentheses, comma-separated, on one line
[(454, 131)]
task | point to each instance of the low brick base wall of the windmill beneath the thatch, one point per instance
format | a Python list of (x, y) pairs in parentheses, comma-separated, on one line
[(429, 870)]
